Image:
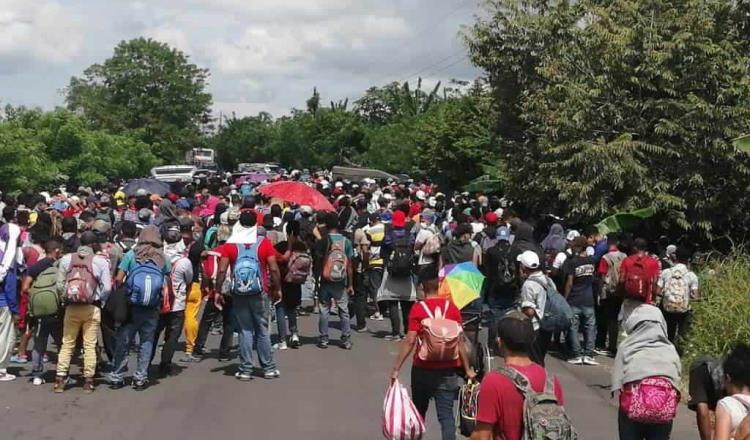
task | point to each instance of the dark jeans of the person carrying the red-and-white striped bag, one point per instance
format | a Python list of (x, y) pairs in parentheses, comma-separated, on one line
[(441, 385)]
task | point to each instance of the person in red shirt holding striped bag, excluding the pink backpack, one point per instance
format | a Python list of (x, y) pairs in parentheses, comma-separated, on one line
[(438, 380)]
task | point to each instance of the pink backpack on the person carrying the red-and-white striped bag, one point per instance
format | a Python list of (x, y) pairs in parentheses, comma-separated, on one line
[(439, 336)]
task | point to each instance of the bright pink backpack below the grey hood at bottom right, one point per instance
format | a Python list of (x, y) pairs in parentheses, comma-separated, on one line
[(652, 400)]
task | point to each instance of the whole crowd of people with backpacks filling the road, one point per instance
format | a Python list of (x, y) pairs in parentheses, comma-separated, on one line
[(98, 270)]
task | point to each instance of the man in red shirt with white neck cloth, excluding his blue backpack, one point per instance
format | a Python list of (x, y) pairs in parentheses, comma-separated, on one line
[(250, 309)]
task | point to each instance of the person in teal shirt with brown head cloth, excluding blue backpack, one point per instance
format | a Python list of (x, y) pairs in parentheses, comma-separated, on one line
[(143, 319)]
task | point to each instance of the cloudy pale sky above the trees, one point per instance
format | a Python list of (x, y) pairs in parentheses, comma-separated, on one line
[(263, 55)]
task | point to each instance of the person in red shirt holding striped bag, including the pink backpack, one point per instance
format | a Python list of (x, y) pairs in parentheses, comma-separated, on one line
[(434, 328)]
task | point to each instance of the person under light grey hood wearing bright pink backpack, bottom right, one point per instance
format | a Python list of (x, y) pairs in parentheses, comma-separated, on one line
[(646, 360)]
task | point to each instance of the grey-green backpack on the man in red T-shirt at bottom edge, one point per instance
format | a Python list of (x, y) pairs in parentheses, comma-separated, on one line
[(543, 416)]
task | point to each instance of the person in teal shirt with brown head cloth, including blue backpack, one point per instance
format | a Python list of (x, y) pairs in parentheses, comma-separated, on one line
[(143, 270)]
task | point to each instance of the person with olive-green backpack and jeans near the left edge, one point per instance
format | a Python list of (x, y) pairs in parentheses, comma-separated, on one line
[(44, 306)]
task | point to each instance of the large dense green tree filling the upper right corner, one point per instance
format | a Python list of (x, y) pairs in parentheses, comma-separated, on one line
[(606, 106)]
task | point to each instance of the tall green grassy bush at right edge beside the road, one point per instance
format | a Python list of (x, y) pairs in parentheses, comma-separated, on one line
[(722, 317)]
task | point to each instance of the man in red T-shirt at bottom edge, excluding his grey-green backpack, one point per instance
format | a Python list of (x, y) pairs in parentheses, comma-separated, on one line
[(500, 411)]
